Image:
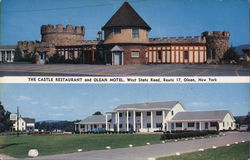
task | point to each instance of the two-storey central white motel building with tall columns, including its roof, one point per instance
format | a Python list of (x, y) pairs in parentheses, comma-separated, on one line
[(144, 117)]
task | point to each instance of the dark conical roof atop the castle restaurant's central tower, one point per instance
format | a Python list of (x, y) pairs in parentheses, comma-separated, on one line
[(126, 16)]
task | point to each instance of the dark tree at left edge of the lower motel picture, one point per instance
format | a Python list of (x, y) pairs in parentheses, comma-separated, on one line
[(5, 123)]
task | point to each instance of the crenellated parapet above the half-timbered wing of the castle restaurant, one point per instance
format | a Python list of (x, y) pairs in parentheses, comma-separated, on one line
[(182, 40)]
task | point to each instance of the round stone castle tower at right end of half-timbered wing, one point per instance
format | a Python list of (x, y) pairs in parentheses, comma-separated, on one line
[(217, 45)]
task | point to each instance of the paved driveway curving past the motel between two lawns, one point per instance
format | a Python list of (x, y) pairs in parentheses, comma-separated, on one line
[(157, 150)]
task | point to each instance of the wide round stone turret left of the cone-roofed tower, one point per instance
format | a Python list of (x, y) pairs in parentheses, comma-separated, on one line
[(59, 35)]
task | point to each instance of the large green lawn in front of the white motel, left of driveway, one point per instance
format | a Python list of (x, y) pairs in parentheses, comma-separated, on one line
[(47, 145)]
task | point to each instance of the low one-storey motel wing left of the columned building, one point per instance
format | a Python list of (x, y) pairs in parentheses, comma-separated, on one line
[(93, 123)]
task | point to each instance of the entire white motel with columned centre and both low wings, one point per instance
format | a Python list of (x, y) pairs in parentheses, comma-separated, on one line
[(159, 116)]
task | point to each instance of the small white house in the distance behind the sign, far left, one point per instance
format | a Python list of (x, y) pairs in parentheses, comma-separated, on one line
[(25, 124)]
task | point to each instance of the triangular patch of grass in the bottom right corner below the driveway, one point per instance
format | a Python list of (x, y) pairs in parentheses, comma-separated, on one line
[(234, 152)]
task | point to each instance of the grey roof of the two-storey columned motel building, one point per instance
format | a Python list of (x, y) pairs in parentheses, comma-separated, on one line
[(153, 105)]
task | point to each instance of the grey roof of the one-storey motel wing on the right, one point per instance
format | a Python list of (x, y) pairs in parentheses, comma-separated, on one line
[(201, 115)]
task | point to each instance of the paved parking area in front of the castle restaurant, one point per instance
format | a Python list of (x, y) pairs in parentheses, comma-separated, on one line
[(126, 70)]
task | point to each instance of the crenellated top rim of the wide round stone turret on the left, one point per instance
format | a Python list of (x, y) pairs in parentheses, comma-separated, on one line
[(59, 29)]
